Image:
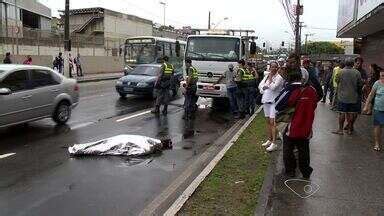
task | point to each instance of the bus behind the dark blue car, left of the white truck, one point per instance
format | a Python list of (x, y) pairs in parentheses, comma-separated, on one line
[(149, 50)]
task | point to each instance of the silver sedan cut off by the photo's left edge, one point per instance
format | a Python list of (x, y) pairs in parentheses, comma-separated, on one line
[(29, 93)]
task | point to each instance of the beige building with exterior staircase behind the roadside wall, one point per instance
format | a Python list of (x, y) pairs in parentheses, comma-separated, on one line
[(113, 27)]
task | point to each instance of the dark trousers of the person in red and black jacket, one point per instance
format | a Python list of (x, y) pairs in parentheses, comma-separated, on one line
[(302, 146)]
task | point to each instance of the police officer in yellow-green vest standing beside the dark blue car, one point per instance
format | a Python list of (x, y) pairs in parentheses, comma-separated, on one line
[(163, 86)]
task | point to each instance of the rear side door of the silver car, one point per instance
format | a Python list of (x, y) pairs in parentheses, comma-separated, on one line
[(44, 90)]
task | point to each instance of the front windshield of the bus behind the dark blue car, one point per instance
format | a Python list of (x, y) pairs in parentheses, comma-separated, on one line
[(140, 53)]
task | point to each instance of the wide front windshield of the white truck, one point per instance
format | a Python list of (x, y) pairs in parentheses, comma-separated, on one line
[(213, 49)]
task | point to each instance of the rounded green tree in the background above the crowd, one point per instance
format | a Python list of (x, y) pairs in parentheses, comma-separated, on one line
[(322, 47)]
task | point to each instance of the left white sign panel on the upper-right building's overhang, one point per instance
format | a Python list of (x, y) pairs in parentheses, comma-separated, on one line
[(346, 12)]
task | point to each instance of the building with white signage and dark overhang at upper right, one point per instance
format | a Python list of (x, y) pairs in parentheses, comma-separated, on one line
[(363, 20)]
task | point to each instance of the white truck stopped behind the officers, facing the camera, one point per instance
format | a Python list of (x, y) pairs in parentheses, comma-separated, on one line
[(211, 54)]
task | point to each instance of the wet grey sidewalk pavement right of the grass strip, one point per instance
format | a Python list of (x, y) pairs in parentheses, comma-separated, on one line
[(348, 172)]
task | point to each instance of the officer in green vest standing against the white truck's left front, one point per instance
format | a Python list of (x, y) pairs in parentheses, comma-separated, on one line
[(191, 88)]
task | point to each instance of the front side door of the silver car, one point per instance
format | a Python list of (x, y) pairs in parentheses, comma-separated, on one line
[(15, 107)]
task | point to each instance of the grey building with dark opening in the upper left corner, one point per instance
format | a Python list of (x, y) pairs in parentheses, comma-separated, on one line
[(15, 15)]
